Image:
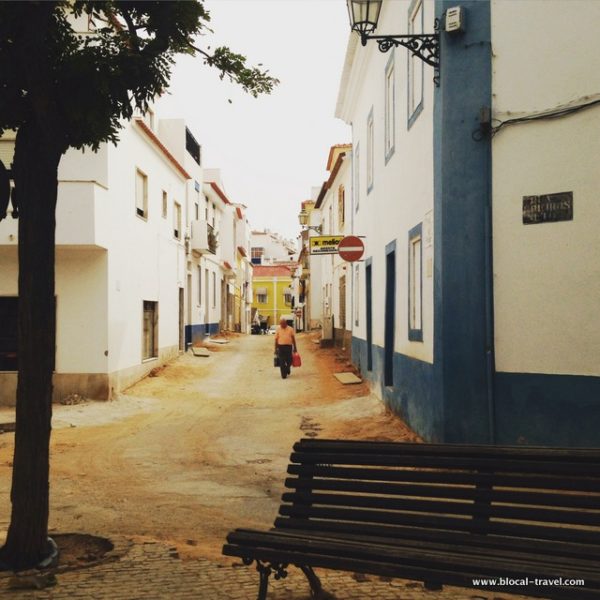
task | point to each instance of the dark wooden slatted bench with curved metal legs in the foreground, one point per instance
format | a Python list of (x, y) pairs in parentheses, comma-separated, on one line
[(440, 514)]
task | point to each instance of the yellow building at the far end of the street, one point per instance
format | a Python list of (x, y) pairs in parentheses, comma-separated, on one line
[(272, 291)]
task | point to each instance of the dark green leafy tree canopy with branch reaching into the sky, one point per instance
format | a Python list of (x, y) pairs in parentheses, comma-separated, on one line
[(80, 85)]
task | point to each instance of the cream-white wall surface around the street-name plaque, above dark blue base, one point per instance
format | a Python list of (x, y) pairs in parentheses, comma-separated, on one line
[(547, 276)]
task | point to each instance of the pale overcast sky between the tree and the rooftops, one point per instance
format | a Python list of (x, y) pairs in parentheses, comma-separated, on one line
[(272, 149)]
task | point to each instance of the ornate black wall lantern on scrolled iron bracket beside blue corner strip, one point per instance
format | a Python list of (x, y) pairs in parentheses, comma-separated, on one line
[(364, 16)]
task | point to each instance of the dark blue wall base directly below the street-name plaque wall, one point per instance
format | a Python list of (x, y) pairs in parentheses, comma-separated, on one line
[(547, 410)]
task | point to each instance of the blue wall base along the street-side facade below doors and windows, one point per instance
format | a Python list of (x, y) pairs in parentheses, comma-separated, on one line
[(411, 396)]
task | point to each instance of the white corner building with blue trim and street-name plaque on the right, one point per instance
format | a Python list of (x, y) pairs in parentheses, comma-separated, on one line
[(476, 309)]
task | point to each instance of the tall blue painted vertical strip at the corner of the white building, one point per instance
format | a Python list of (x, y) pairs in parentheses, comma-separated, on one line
[(461, 198)]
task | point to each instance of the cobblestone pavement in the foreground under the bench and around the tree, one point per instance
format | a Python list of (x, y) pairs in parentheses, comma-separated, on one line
[(153, 570)]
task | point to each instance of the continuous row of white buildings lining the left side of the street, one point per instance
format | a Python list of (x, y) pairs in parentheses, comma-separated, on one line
[(151, 256)]
